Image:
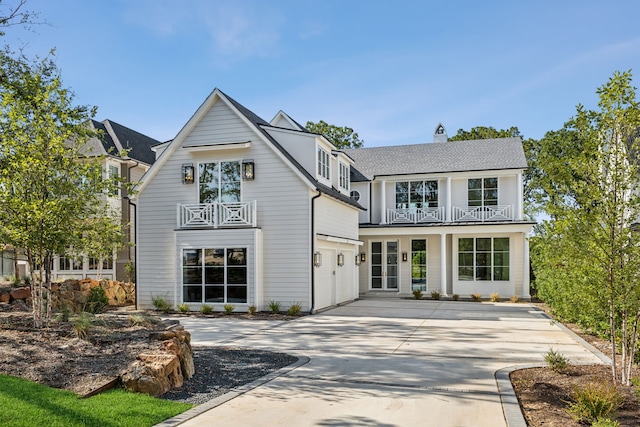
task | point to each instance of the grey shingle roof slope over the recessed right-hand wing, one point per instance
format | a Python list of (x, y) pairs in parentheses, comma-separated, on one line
[(438, 157)]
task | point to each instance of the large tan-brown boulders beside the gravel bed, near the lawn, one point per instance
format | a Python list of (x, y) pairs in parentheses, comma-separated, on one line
[(155, 373)]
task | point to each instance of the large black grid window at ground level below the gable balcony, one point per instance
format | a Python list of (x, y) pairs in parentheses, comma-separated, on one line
[(214, 275)]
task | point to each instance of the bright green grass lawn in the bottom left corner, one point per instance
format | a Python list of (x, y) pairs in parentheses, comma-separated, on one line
[(25, 403)]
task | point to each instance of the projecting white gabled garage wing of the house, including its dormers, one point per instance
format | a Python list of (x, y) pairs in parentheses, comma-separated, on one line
[(237, 210)]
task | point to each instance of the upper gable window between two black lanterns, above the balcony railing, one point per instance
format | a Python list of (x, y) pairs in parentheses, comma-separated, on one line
[(219, 182)]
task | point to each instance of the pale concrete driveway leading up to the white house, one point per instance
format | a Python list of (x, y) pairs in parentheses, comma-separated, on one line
[(387, 362)]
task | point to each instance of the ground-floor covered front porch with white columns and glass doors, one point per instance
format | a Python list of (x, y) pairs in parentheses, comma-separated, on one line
[(446, 260)]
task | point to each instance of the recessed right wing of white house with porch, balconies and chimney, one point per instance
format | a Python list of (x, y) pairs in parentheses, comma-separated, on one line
[(443, 216)]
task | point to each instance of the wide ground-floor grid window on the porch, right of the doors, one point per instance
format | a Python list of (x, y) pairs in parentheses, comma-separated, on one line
[(483, 258)]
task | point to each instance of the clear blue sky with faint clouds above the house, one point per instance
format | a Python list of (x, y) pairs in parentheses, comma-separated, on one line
[(390, 70)]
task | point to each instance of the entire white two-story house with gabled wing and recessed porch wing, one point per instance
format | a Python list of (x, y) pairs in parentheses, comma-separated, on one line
[(238, 210)]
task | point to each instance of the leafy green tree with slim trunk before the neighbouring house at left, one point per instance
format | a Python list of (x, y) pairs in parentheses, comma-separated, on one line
[(49, 183)]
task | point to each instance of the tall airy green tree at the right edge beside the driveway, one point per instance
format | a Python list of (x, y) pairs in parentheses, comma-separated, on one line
[(587, 254)]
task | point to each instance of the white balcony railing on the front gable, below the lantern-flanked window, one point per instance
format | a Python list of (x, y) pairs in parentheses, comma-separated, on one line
[(214, 215)]
